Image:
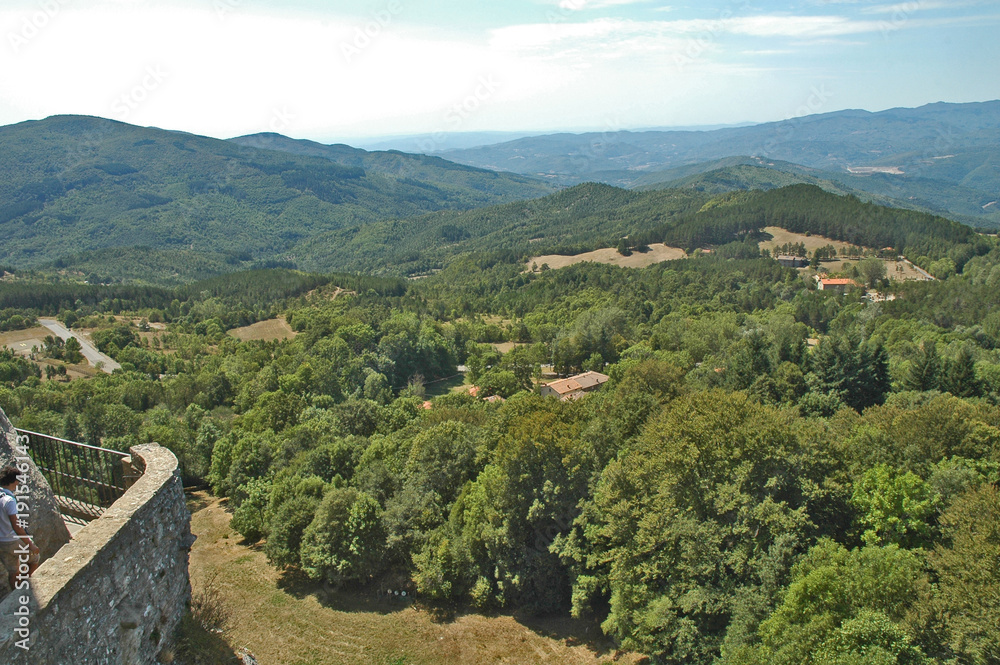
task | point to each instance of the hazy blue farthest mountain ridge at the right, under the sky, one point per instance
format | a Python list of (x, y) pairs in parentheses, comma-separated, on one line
[(943, 158)]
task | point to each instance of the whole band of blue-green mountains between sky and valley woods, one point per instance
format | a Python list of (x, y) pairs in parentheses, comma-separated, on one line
[(114, 201)]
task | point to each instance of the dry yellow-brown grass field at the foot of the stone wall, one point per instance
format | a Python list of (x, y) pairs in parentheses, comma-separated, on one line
[(284, 619)]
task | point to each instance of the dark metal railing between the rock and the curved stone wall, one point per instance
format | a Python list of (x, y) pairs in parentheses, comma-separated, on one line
[(85, 479)]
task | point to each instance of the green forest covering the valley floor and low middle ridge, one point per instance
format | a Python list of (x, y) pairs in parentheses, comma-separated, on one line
[(773, 474)]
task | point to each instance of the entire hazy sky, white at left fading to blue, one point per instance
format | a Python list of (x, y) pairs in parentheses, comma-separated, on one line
[(331, 70)]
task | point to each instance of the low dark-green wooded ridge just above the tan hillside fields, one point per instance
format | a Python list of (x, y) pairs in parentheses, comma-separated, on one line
[(591, 216)]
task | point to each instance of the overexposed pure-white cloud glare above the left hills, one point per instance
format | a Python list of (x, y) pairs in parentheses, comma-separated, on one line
[(238, 74)]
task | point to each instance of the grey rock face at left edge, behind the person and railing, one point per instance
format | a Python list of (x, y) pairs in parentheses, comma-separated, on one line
[(45, 522)]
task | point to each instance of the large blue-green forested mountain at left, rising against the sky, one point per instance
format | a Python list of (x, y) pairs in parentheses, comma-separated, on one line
[(69, 184)]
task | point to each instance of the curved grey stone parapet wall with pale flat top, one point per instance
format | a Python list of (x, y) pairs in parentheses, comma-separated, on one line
[(115, 594)]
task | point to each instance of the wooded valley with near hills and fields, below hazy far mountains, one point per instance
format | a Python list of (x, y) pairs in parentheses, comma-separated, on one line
[(725, 431)]
